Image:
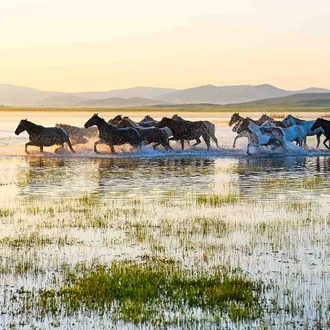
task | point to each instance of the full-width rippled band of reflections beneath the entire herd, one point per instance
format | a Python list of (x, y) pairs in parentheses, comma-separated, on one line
[(58, 177)]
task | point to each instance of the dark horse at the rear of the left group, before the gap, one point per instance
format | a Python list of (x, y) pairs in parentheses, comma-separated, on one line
[(186, 130)]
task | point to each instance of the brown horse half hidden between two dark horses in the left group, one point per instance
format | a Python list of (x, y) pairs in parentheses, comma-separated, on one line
[(148, 134)]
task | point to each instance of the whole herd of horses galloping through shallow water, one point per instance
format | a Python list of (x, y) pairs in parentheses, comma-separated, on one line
[(120, 130)]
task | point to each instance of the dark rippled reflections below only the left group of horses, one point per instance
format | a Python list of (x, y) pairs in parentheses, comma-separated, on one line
[(57, 177)]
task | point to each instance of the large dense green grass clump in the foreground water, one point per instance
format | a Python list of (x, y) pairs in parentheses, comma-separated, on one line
[(146, 291)]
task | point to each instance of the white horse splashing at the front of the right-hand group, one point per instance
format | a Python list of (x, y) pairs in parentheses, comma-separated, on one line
[(272, 136)]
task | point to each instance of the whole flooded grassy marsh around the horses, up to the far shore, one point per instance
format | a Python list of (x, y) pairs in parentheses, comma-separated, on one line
[(162, 239)]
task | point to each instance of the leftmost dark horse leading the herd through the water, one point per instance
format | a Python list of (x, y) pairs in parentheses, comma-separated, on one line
[(41, 136)]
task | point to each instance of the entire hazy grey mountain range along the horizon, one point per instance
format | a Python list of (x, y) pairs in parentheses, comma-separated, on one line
[(11, 95)]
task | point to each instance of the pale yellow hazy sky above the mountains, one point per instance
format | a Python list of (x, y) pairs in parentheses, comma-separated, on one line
[(84, 45)]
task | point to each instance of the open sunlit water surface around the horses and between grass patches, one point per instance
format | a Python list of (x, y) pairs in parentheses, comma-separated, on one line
[(269, 238)]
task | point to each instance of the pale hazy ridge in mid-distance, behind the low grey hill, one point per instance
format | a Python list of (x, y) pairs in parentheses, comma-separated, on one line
[(143, 92)]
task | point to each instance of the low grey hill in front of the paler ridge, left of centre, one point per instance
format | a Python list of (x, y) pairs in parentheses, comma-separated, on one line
[(118, 102)]
